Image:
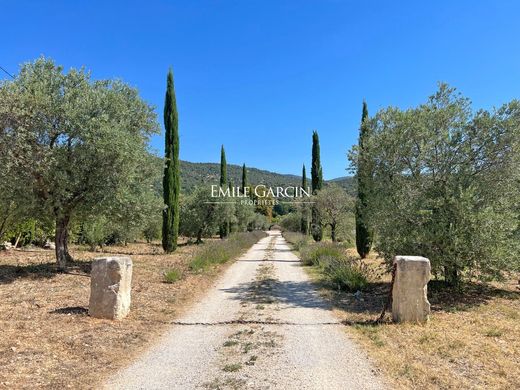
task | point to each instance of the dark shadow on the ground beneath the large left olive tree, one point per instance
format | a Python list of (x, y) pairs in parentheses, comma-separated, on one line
[(9, 273)]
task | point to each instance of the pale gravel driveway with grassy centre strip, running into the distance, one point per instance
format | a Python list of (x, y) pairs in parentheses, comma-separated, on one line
[(263, 326)]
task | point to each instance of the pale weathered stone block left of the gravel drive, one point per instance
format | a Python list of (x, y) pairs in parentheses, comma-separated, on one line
[(110, 284)]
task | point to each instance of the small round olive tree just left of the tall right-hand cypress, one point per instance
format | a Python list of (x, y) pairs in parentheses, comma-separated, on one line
[(333, 204)]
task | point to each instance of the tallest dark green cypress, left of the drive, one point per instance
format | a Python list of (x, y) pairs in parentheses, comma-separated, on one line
[(171, 177)]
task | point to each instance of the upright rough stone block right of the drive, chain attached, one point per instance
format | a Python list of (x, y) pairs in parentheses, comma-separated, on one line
[(409, 293)]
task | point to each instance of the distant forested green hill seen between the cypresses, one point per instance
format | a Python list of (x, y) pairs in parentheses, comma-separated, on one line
[(198, 174)]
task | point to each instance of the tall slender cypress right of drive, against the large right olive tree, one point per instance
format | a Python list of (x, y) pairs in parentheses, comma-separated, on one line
[(364, 233)]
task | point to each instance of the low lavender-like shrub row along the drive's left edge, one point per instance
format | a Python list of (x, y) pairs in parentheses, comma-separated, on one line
[(218, 252)]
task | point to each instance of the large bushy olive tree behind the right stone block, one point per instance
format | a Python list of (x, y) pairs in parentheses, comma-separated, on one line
[(446, 185)]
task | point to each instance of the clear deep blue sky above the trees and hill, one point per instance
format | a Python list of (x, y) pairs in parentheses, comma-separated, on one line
[(259, 76)]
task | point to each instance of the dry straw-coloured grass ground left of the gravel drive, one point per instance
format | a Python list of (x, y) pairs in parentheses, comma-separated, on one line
[(47, 339)]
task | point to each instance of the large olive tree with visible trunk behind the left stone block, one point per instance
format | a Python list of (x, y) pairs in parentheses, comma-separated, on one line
[(80, 144)]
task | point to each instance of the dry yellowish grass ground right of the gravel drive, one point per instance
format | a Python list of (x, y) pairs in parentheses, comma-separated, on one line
[(472, 339)]
